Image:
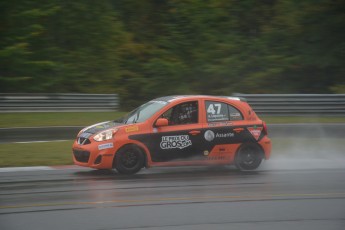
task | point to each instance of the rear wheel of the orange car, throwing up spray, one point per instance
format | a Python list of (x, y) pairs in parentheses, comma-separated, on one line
[(248, 157)]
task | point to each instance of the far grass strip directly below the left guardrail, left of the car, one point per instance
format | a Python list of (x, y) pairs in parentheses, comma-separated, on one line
[(56, 118)]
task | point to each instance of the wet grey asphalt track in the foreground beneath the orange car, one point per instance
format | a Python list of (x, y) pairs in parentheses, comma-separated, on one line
[(175, 198)]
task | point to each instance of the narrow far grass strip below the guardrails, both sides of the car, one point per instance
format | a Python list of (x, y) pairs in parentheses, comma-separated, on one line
[(88, 118)]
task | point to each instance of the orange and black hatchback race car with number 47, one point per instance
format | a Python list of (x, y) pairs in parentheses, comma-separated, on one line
[(177, 131)]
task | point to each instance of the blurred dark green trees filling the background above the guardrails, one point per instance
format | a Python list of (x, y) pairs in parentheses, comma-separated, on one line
[(149, 48)]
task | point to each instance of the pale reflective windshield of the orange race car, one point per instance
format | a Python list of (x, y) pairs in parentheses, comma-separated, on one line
[(143, 112)]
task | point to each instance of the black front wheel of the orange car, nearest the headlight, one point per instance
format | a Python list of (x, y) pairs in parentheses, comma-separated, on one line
[(129, 160)]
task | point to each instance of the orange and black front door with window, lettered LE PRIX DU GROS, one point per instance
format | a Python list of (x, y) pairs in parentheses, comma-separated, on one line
[(179, 140)]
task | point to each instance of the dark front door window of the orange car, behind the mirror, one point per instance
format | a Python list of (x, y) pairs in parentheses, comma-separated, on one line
[(184, 113)]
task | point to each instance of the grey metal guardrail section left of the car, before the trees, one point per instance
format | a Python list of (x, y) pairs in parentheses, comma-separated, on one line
[(63, 102)]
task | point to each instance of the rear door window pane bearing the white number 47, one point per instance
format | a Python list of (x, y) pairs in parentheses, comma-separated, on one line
[(216, 111)]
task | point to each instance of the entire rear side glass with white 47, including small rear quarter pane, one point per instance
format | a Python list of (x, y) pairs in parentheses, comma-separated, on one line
[(218, 111)]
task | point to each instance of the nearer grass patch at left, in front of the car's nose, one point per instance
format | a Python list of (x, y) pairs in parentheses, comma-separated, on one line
[(36, 154)]
